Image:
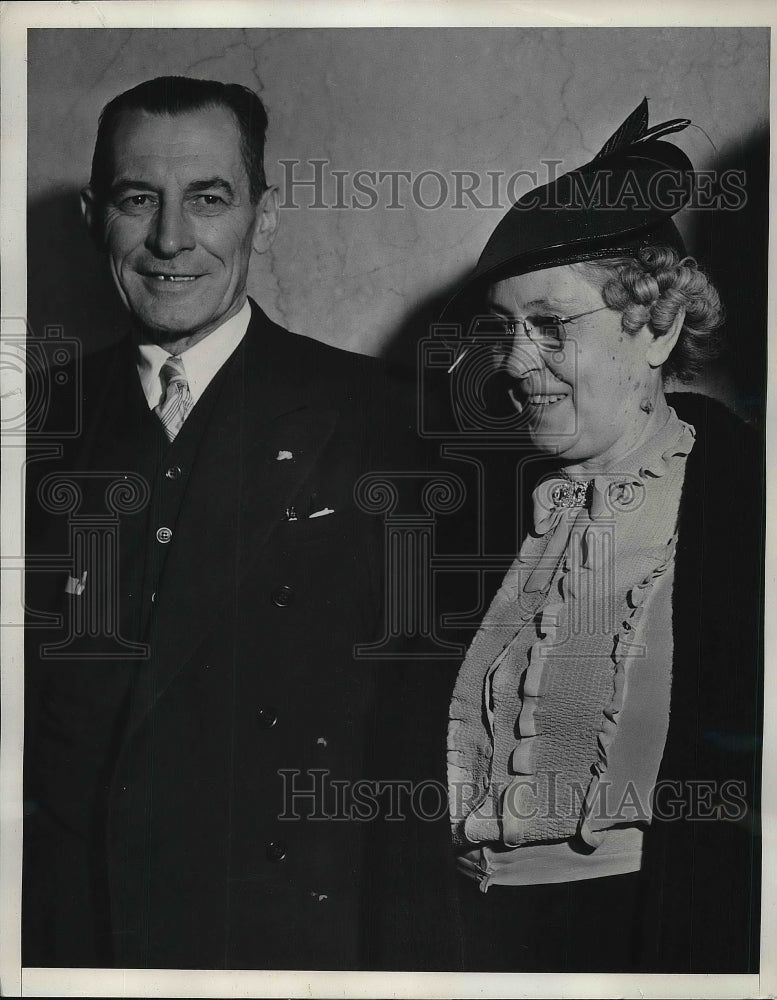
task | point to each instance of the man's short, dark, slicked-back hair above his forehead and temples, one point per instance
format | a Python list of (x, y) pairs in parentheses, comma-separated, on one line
[(175, 95)]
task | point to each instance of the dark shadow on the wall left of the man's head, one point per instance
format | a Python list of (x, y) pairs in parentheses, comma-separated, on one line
[(68, 284)]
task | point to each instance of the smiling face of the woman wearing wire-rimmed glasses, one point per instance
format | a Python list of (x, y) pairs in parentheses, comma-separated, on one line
[(586, 401)]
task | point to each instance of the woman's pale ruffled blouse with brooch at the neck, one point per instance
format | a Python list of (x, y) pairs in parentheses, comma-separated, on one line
[(545, 742)]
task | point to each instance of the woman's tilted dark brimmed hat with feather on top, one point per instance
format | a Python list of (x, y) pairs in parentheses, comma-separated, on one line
[(622, 199)]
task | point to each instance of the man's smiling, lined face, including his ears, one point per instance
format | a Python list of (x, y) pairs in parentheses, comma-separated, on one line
[(178, 224)]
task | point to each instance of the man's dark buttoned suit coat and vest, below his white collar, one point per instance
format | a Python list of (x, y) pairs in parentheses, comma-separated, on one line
[(159, 785)]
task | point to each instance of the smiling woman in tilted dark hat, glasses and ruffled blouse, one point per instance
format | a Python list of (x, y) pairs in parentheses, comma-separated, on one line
[(602, 747)]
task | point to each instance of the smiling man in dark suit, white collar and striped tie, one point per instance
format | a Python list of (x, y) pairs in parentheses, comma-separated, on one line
[(203, 665)]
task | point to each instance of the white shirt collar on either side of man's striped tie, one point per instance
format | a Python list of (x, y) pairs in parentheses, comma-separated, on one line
[(201, 362)]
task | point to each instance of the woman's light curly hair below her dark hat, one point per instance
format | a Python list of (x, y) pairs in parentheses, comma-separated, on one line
[(649, 288)]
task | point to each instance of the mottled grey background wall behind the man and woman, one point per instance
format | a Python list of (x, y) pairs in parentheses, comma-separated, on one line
[(447, 100)]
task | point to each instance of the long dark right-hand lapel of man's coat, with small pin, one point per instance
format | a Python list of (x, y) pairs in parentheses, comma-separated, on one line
[(236, 497)]
